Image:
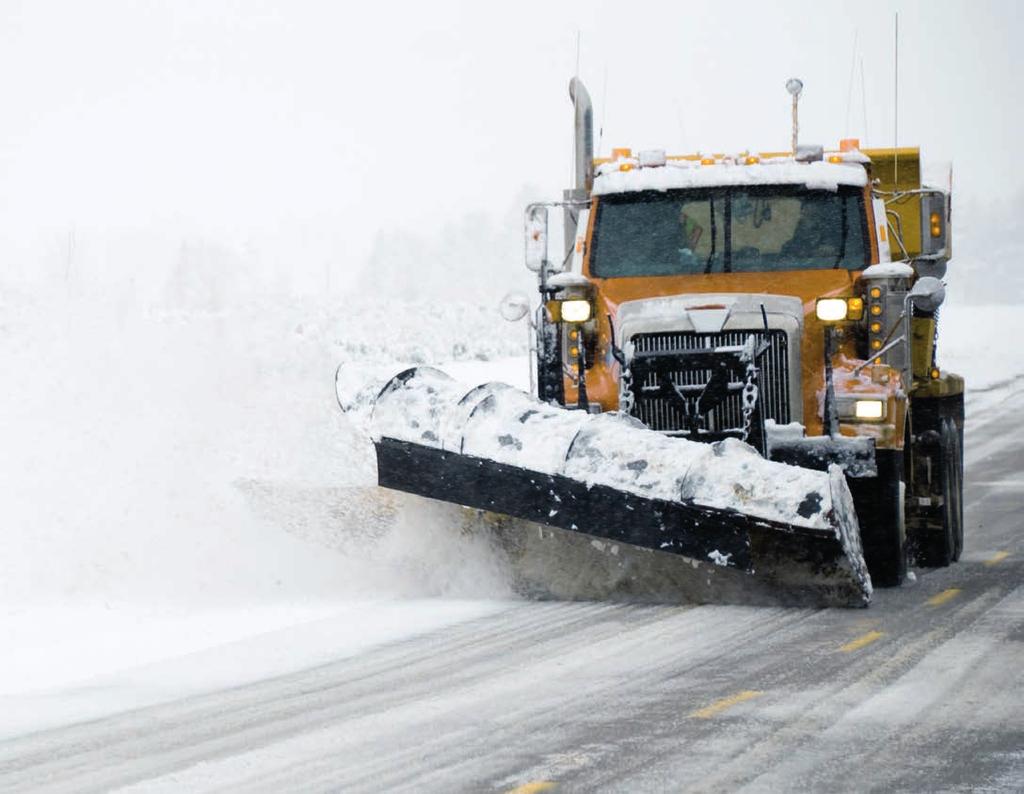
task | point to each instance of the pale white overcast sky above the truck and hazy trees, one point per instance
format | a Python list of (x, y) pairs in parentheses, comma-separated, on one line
[(237, 117)]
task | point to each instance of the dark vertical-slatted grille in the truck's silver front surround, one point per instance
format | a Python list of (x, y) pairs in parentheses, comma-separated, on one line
[(662, 414)]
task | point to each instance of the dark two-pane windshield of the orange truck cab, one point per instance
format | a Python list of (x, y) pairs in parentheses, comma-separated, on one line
[(734, 230)]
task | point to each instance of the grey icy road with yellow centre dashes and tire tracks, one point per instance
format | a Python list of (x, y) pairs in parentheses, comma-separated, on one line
[(923, 692)]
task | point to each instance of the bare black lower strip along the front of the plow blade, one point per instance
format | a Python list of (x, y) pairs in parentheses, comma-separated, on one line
[(774, 562)]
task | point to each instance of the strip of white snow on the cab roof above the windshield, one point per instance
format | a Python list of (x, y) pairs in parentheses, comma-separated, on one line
[(630, 177)]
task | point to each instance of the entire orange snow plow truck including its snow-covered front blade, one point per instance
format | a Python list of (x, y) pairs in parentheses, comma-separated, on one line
[(735, 375)]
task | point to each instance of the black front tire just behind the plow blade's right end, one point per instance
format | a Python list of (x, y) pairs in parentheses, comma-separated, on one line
[(880, 504)]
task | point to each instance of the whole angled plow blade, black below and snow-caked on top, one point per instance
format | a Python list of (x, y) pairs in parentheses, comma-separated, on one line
[(791, 532)]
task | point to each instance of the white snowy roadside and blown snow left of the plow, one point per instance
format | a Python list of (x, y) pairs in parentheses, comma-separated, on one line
[(176, 478)]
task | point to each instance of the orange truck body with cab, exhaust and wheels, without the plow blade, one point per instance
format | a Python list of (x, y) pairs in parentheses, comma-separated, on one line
[(786, 300)]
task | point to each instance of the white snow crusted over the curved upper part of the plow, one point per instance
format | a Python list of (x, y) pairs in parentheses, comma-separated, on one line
[(426, 407)]
